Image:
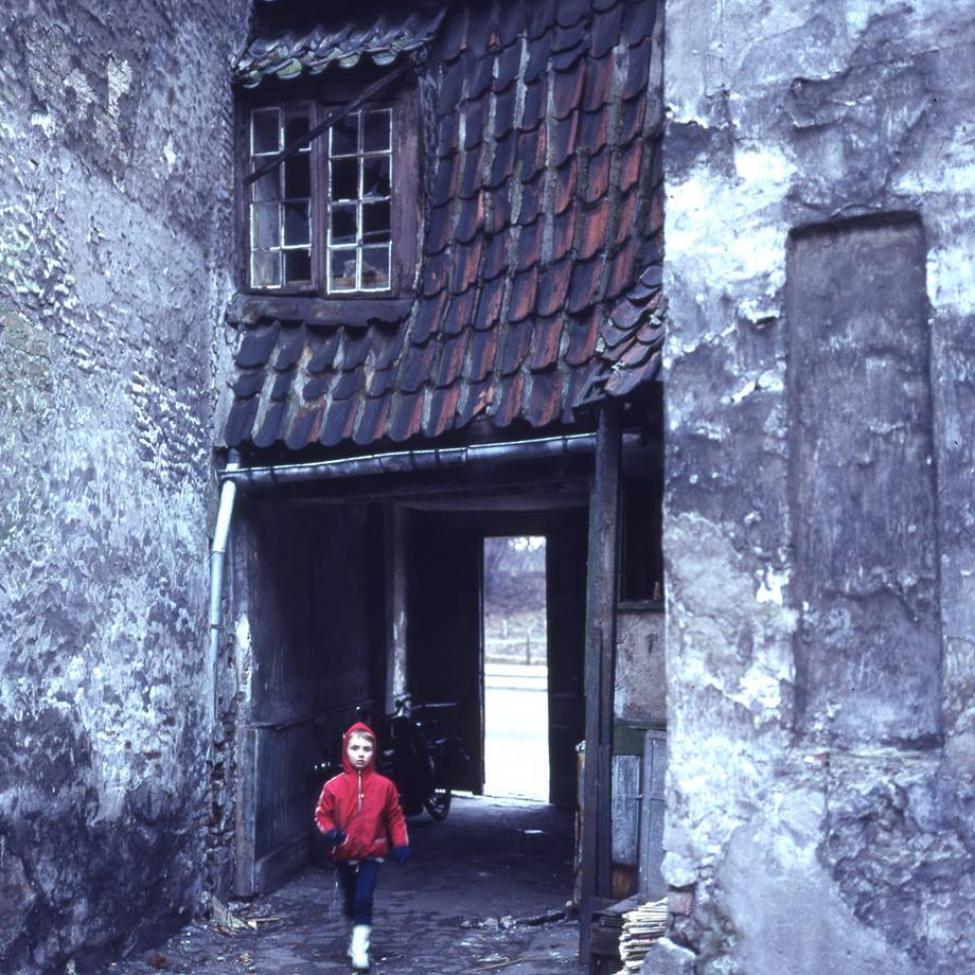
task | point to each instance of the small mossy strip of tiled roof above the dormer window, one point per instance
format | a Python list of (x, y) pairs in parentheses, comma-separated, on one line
[(299, 52)]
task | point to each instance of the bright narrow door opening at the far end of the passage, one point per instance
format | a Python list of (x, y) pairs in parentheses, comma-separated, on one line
[(516, 723)]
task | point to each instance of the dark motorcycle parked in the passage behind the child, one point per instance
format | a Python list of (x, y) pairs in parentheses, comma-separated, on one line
[(425, 766)]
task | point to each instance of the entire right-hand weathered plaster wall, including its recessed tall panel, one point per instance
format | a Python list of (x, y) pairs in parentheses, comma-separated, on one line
[(820, 684)]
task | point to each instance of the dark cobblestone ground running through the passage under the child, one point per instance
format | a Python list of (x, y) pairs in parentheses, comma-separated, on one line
[(484, 892)]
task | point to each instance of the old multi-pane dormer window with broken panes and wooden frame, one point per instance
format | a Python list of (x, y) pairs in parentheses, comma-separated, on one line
[(335, 217)]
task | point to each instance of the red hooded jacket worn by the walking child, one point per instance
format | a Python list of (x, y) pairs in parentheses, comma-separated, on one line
[(362, 804)]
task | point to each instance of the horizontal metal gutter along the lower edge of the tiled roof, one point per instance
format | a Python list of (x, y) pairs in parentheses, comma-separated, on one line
[(412, 460)]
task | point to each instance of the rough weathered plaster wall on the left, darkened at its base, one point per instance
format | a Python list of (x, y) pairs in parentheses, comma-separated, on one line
[(114, 193)]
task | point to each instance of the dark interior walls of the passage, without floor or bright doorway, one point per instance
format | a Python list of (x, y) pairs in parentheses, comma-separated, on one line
[(346, 605)]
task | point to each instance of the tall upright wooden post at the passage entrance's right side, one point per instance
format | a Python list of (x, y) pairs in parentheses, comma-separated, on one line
[(600, 658)]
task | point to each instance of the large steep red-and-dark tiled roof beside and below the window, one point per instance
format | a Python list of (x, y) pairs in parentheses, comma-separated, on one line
[(539, 282)]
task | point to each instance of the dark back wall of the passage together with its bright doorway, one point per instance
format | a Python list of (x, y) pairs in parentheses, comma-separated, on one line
[(447, 658)]
